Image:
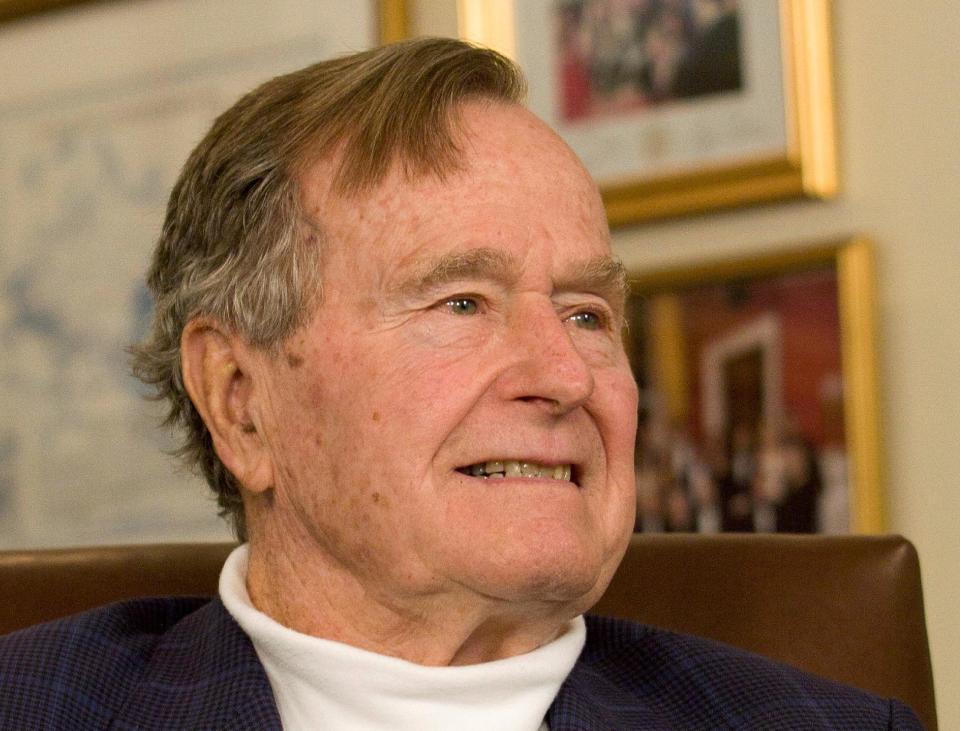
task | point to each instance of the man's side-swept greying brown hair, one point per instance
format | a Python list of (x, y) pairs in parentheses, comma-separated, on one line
[(236, 244)]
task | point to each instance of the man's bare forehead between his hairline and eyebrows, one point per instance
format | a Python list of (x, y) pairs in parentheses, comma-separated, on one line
[(518, 188)]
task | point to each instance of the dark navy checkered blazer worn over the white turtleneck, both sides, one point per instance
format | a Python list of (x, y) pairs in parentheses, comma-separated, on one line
[(184, 663)]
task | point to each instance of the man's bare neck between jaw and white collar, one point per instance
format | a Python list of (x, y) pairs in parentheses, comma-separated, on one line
[(439, 625)]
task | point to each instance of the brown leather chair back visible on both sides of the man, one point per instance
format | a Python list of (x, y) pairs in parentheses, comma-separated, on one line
[(848, 608)]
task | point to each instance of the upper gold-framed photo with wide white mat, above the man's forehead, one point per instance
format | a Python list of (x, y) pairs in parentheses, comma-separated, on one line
[(677, 106)]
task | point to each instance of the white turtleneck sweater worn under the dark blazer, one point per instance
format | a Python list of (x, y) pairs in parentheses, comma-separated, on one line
[(319, 683)]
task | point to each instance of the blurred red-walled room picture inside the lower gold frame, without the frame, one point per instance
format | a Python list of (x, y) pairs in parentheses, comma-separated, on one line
[(742, 406)]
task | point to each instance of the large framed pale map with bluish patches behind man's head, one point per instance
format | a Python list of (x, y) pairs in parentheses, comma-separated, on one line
[(97, 116)]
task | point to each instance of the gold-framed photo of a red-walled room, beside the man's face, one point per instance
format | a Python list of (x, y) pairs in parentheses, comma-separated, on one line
[(758, 383)]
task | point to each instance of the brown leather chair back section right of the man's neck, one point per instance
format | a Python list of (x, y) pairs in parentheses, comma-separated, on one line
[(848, 608)]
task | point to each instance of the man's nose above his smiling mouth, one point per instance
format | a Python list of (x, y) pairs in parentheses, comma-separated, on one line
[(546, 368)]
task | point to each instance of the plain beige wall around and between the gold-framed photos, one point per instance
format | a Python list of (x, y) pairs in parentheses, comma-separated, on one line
[(899, 125)]
